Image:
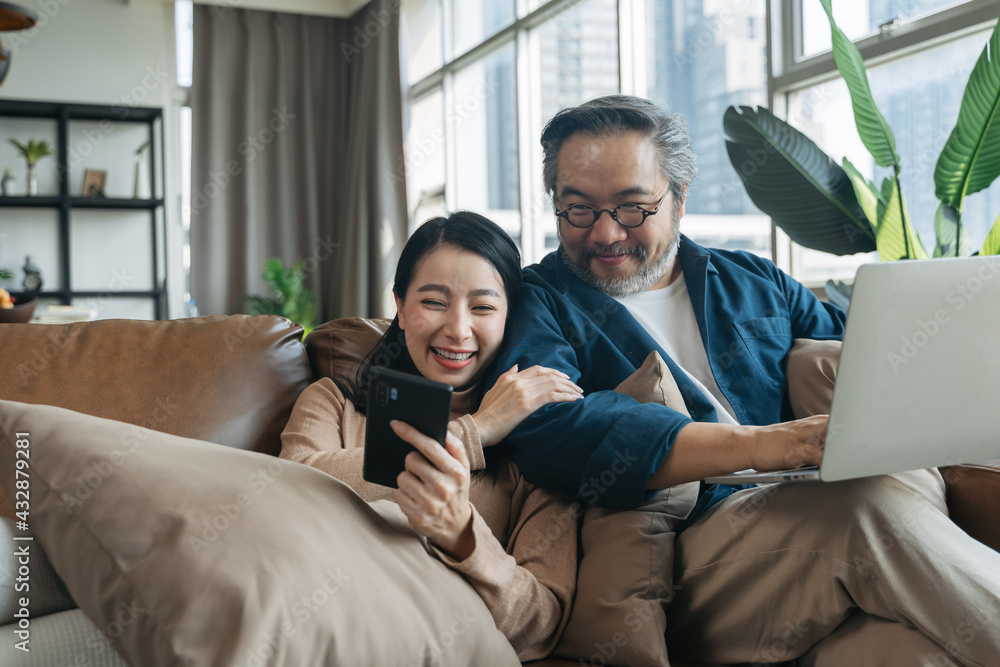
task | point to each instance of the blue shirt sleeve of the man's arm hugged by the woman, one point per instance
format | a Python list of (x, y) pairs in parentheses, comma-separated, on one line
[(603, 448)]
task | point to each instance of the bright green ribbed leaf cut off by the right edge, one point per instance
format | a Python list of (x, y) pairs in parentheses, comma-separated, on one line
[(970, 159)]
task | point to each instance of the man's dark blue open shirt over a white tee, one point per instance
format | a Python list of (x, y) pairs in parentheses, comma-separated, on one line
[(605, 447)]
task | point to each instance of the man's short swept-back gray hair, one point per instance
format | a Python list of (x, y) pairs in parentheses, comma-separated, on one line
[(615, 114)]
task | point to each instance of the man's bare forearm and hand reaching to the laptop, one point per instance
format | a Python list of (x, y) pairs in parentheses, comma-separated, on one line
[(705, 450)]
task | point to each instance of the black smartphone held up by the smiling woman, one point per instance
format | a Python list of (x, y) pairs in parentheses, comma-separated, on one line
[(423, 404)]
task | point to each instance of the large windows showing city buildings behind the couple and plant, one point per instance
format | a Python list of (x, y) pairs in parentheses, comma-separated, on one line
[(485, 77)]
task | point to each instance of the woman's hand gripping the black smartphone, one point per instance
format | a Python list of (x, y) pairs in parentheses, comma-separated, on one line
[(434, 491)]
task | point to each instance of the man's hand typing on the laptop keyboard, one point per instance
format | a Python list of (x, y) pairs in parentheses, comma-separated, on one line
[(788, 444)]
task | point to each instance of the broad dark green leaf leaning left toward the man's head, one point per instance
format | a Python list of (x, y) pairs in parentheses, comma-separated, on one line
[(788, 177)]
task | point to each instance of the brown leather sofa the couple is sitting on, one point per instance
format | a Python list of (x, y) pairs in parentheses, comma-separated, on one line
[(233, 380)]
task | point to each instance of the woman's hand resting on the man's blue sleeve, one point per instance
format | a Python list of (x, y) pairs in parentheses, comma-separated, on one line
[(518, 394)]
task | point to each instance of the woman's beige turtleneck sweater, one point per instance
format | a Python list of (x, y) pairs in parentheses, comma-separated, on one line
[(525, 556)]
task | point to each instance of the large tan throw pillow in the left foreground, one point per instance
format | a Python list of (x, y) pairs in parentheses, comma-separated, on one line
[(183, 552)]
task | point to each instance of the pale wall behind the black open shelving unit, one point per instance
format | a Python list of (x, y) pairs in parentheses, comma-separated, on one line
[(96, 52)]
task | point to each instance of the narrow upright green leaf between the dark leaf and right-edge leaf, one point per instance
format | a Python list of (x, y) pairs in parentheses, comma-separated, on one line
[(872, 127)]
